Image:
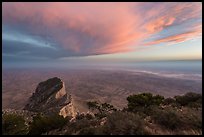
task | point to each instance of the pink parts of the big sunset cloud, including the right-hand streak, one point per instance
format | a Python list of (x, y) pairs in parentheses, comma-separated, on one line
[(100, 28)]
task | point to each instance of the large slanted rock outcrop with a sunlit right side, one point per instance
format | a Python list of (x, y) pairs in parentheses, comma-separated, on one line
[(51, 97)]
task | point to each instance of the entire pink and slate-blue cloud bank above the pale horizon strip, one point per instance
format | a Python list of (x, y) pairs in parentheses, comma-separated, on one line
[(57, 30)]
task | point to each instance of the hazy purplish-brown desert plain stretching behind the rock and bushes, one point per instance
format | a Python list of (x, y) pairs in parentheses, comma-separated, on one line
[(112, 86)]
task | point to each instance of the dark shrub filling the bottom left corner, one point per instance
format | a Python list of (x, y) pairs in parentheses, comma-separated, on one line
[(13, 124)]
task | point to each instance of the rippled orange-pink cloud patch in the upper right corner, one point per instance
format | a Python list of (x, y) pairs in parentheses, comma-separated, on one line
[(171, 14)]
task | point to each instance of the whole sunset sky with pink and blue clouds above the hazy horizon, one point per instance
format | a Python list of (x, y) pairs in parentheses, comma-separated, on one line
[(52, 33)]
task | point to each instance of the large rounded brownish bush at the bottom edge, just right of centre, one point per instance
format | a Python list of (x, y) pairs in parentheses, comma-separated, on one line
[(124, 123)]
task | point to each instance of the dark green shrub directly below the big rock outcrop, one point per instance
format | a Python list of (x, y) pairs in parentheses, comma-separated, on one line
[(42, 124)]
